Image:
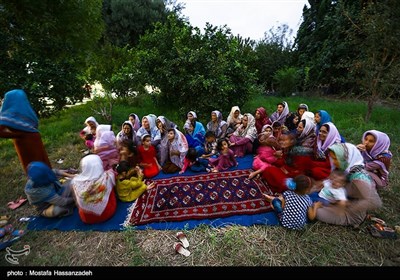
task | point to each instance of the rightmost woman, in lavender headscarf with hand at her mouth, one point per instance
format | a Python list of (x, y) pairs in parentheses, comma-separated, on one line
[(377, 156)]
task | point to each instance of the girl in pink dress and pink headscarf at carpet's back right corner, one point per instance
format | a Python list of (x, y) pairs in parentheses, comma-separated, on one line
[(265, 153)]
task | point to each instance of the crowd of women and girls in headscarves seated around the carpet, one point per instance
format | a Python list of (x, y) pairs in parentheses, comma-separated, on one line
[(284, 146)]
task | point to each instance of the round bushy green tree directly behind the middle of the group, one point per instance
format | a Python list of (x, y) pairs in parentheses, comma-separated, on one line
[(192, 70)]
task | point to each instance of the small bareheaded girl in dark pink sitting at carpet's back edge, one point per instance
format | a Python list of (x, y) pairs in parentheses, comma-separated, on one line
[(226, 158)]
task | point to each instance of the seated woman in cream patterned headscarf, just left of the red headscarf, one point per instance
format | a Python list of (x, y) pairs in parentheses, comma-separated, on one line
[(241, 142)]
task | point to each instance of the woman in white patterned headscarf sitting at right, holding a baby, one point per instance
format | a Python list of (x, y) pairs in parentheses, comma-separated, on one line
[(360, 188)]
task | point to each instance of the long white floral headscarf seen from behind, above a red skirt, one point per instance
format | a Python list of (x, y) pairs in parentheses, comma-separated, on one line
[(93, 186)]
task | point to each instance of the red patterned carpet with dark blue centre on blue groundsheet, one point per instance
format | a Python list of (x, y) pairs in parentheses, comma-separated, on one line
[(205, 196)]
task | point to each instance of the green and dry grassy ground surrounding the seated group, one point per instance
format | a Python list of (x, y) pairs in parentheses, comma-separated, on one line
[(317, 245)]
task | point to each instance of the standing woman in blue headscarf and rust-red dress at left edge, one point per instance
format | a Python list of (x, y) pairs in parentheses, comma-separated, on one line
[(19, 122)]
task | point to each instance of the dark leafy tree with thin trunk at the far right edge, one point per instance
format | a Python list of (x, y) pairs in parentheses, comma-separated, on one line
[(377, 64)]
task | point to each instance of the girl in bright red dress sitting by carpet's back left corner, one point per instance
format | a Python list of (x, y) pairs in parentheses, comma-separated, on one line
[(148, 157)]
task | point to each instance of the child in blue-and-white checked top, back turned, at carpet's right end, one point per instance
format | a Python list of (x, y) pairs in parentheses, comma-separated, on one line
[(294, 207)]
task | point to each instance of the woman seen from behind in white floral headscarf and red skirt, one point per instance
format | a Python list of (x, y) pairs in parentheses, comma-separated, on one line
[(94, 191)]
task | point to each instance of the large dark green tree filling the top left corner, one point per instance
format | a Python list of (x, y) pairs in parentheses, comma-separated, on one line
[(44, 48)]
